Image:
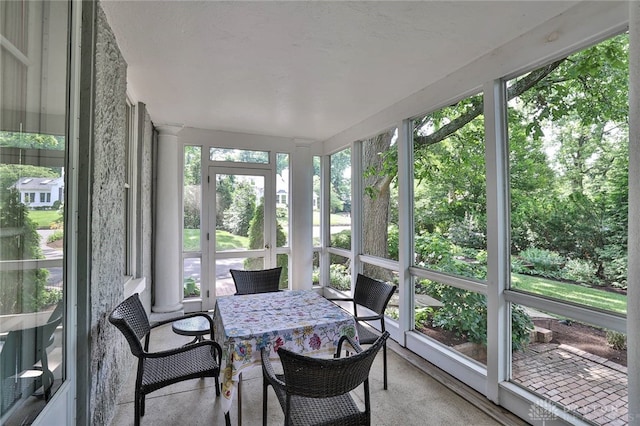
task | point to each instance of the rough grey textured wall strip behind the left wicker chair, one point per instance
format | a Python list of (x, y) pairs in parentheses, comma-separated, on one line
[(109, 351)]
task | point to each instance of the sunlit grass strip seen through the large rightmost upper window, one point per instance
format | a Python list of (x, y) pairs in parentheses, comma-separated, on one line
[(576, 293)]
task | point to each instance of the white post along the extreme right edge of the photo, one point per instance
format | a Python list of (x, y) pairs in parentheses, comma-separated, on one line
[(633, 282)]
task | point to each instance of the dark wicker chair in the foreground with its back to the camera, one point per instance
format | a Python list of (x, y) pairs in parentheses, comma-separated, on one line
[(315, 391)]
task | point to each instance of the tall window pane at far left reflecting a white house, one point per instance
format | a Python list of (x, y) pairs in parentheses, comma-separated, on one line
[(33, 117)]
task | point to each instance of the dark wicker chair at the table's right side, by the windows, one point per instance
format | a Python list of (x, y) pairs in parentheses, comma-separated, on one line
[(373, 295)]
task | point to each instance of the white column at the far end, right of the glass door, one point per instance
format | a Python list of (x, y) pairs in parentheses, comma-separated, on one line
[(301, 218)]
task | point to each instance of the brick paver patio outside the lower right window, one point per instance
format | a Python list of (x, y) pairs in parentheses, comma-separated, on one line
[(581, 382)]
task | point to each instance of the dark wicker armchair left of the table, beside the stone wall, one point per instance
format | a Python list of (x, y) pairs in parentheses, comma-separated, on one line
[(159, 369)]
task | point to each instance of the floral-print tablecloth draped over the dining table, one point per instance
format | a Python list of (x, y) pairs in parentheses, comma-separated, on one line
[(300, 320)]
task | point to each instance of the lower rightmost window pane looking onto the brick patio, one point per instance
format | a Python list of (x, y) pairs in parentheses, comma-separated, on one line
[(575, 367)]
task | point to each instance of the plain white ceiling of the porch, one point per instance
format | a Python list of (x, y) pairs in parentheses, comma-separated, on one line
[(307, 69)]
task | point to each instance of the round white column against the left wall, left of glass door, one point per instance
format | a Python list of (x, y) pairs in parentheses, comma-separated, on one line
[(168, 283)]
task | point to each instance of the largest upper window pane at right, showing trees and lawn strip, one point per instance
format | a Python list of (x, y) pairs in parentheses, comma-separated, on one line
[(569, 178)]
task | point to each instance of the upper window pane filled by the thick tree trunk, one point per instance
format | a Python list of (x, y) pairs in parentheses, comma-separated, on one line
[(380, 198)]
